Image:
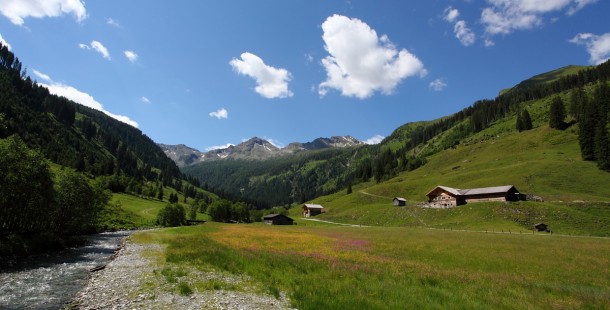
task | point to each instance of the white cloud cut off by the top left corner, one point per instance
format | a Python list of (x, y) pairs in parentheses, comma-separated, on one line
[(17, 10)]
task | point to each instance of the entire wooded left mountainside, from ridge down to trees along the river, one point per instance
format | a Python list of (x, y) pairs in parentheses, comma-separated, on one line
[(60, 163)]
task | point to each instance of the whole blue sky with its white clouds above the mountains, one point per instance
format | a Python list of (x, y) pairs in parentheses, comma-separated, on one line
[(212, 73)]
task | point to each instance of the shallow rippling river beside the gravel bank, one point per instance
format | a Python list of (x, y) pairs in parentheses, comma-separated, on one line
[(49, 281)]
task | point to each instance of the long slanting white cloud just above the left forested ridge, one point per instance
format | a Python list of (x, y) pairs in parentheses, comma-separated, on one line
[(78, 96)]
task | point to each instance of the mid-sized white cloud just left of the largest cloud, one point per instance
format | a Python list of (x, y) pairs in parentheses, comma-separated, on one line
[(270, 82)]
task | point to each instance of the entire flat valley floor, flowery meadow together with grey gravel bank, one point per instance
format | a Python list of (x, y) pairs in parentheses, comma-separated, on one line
[(315, 265)]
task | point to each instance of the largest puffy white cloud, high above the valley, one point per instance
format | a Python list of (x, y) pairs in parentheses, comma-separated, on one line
[(360, 62)]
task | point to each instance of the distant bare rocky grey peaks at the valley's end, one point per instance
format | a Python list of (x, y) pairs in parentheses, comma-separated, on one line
[(253, 149)]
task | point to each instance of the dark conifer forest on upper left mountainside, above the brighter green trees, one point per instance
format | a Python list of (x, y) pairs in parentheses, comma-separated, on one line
[(73, 135)]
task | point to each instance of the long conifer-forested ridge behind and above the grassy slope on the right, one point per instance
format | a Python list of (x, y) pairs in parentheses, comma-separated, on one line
[(301, 178)]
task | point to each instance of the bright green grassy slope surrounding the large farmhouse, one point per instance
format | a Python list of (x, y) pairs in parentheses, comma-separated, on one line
[(542, 162)]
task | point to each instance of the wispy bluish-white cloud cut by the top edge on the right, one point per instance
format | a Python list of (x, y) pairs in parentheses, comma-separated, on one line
[(506, 16)]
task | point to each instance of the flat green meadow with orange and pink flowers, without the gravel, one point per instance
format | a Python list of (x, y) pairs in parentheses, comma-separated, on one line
[(323, 267)]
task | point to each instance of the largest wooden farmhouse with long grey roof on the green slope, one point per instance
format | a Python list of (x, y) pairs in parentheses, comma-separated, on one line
[(447, 197)]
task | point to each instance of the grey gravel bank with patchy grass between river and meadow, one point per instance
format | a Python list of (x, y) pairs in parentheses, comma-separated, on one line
[(134, 281)]
